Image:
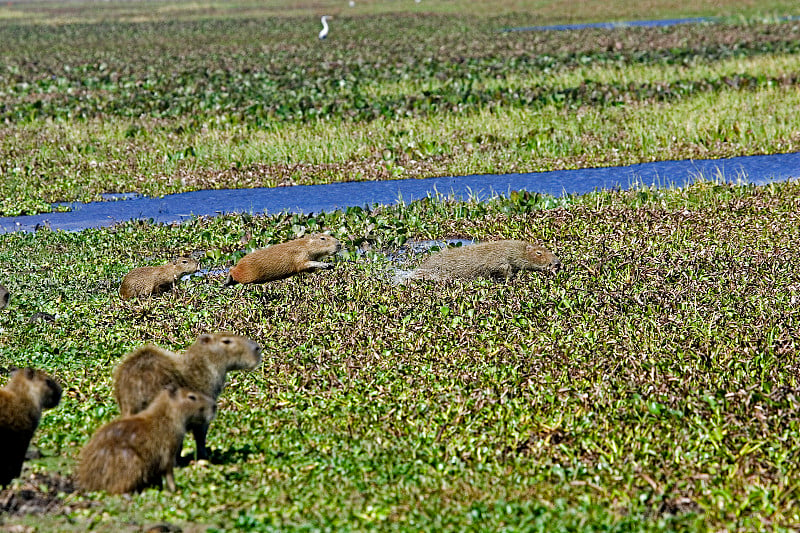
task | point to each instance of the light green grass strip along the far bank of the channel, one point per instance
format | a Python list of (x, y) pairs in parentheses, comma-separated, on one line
[(155, 161)]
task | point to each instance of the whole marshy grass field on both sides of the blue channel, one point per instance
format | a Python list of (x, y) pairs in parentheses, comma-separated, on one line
[(650, 385)]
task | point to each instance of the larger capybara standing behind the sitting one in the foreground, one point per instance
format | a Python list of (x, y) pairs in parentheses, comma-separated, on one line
[(147, 370)]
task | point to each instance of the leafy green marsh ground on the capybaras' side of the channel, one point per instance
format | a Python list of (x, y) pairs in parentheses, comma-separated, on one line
[(650, 385)]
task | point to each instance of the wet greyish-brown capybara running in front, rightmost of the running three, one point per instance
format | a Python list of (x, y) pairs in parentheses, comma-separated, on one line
[(497, 259)]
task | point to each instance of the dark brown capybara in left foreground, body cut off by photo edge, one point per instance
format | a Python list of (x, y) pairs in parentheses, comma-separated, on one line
[(22, 400)]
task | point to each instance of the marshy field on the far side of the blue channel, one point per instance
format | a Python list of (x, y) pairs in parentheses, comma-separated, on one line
[(242, 99)]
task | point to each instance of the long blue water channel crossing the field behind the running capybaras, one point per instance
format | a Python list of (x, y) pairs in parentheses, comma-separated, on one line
[(758, 169)]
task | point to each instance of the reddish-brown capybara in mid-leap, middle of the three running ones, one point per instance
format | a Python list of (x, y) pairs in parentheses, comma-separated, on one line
[(280, 261)]
